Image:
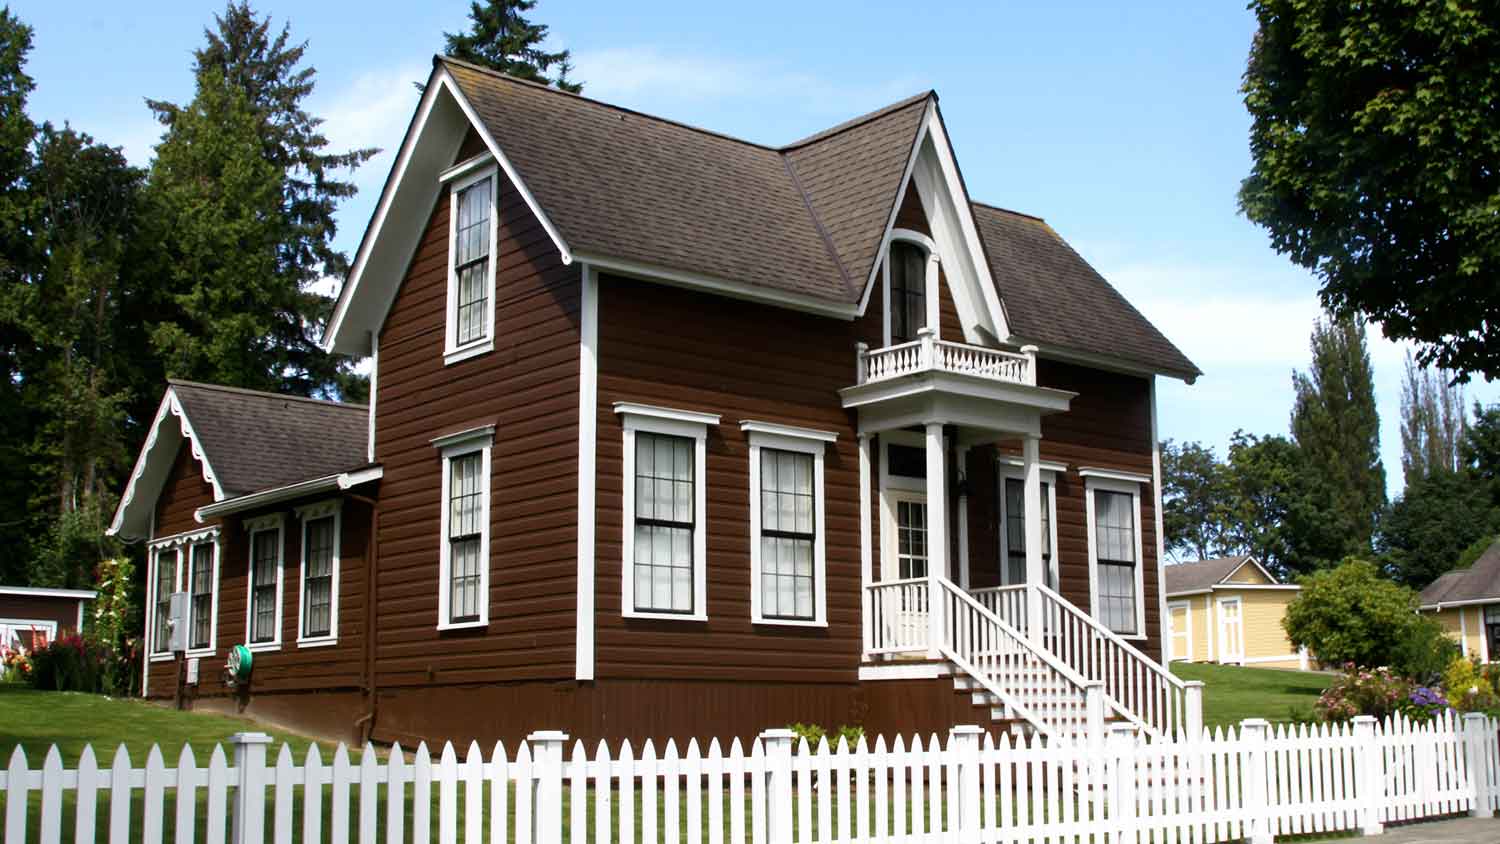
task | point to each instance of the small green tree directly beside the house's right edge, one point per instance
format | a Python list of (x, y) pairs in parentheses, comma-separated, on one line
[(1195, 491)]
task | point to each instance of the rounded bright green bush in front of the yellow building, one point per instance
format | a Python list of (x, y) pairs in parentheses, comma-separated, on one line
[(1351, 615)]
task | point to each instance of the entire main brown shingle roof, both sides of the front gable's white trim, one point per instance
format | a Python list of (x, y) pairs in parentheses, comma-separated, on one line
[(802, 220)]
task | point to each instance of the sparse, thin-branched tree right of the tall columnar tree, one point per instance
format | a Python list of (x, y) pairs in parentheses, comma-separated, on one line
[(1433, 423)]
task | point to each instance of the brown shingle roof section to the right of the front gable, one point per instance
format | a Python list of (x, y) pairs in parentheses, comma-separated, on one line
[(1054, 296)]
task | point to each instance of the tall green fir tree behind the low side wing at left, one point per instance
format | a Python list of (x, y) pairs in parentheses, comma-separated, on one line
[(244, 190)]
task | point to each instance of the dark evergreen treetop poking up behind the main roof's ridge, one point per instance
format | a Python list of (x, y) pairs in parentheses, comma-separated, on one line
[(502, 38)]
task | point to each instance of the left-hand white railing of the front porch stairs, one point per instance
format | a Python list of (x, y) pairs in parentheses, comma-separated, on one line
[(1033, 684)]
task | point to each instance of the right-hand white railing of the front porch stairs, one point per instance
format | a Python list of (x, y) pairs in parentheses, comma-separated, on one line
[(1136, 687)]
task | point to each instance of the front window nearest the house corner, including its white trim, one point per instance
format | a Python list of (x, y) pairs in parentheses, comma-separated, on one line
[(664, 540)]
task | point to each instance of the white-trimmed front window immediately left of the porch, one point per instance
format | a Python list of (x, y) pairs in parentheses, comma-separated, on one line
[(787, 524)]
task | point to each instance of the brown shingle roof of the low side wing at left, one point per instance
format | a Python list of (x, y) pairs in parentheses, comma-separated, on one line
[(260, 441)]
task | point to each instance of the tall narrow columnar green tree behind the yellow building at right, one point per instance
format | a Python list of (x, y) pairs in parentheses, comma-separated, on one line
[(1337, 429)]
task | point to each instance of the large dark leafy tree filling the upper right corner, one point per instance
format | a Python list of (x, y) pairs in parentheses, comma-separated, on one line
[(1373, 143)]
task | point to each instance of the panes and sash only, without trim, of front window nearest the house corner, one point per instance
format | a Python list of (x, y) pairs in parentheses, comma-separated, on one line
[(665, 522)]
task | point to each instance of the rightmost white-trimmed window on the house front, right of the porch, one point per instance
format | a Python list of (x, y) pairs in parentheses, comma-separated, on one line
[(1115, 554)]
